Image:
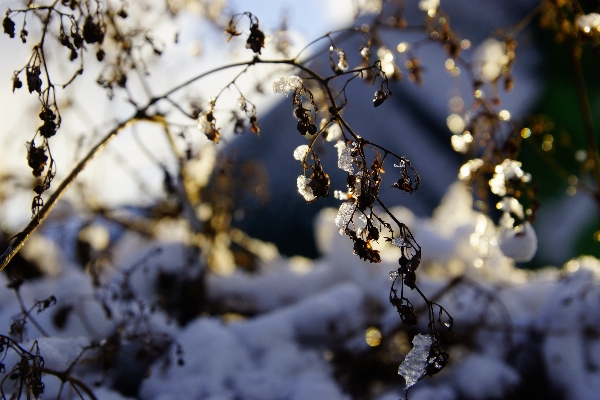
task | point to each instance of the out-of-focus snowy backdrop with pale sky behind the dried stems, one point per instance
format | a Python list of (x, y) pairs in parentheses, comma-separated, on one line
[(264, 299)]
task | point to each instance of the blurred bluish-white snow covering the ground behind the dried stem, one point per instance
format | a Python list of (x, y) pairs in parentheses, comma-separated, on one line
[(295, 316)]
